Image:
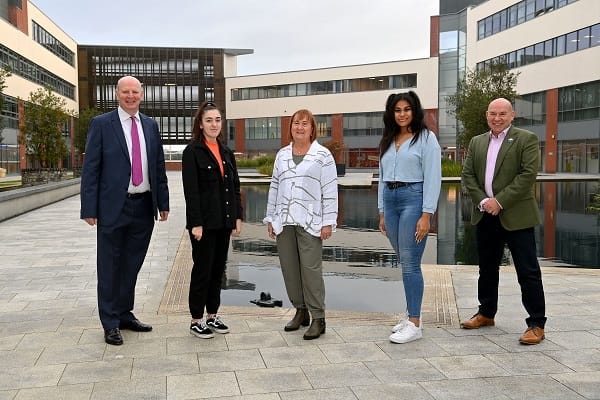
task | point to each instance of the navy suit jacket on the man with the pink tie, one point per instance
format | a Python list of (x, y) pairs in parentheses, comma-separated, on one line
[(107, 168)]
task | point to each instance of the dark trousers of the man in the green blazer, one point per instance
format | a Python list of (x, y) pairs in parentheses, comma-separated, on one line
[(491, 238)]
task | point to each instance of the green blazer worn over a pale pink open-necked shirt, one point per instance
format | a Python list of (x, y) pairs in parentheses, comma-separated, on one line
[(514, 177)]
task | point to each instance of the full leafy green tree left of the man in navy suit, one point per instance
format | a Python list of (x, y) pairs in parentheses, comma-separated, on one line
[(41, 134)]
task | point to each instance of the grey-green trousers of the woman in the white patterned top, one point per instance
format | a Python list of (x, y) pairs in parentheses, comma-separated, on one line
[(300, 256)]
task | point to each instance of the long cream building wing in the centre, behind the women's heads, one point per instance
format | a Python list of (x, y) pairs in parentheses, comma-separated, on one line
[(347, 103)]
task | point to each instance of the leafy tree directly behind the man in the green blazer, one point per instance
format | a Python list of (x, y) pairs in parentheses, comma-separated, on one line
[(473, 95)]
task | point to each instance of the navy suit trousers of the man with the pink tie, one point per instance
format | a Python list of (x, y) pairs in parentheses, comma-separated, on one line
[(122, 249)]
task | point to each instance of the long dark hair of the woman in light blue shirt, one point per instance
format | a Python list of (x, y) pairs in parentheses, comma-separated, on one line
[(391, 128)]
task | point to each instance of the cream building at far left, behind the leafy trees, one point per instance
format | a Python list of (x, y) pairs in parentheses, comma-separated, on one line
[(39, 54)]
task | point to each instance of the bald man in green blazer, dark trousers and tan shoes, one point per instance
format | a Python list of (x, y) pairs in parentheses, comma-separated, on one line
[(499, 174)]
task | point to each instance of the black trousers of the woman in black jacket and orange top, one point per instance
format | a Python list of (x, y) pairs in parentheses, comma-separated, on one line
[(210, 256)]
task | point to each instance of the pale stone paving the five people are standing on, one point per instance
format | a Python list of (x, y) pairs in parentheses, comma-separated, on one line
[(52, 347)]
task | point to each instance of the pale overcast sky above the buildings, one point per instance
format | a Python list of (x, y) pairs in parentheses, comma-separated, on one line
[(286, 35)]
